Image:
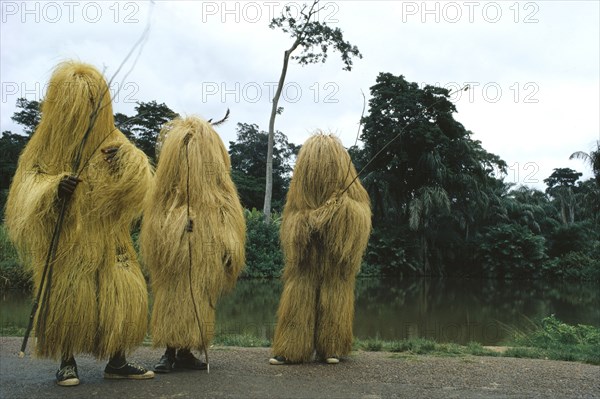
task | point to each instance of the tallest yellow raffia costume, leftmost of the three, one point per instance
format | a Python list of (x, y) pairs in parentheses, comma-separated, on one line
[(98, 297)]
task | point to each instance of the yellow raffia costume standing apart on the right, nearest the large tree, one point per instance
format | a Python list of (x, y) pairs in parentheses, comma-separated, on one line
[(324, 234)]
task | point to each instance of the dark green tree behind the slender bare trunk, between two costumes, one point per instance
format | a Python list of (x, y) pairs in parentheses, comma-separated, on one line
[(248, 159)]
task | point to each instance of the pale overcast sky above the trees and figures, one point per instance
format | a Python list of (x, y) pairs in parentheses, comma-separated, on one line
[(533, 66)]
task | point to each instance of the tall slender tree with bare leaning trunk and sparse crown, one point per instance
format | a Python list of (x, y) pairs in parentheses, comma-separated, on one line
[(314, 38)]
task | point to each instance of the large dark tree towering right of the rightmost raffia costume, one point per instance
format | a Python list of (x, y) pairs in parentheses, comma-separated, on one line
[(414, 148)]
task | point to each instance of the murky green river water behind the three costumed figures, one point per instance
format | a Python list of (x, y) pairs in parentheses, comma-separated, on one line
[(449, 310)]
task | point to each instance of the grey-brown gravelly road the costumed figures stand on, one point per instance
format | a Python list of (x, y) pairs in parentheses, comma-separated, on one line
[(245, 373)]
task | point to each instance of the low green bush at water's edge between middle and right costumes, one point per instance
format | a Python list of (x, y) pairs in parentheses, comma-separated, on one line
[(263, 252)]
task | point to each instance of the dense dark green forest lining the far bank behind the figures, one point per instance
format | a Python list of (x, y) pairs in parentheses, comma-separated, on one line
[(440, 204)]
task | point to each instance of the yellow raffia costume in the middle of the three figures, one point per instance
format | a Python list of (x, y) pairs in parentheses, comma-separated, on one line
[(193, 173)]
